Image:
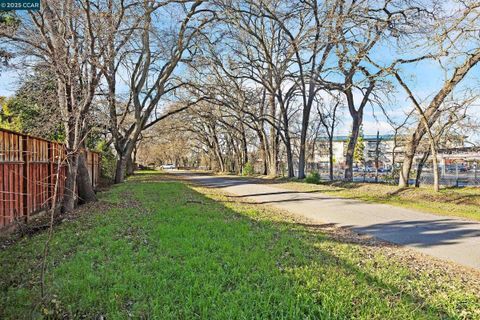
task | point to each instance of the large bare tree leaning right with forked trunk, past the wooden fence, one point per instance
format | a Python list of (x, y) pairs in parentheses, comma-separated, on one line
[(152, 64)]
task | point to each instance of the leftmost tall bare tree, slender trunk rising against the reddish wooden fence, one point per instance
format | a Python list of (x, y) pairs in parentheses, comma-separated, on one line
[(64, 35)]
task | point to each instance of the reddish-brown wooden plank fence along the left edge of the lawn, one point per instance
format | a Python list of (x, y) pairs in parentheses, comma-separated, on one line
[(27, 174)]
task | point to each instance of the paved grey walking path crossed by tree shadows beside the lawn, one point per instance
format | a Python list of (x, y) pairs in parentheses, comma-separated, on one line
[(440, 236)]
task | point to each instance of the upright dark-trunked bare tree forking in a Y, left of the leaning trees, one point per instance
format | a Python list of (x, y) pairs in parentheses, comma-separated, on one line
[(360, 28)]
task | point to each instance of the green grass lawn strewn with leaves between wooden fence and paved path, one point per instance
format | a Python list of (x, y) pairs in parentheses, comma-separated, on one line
[(165, 250)]
